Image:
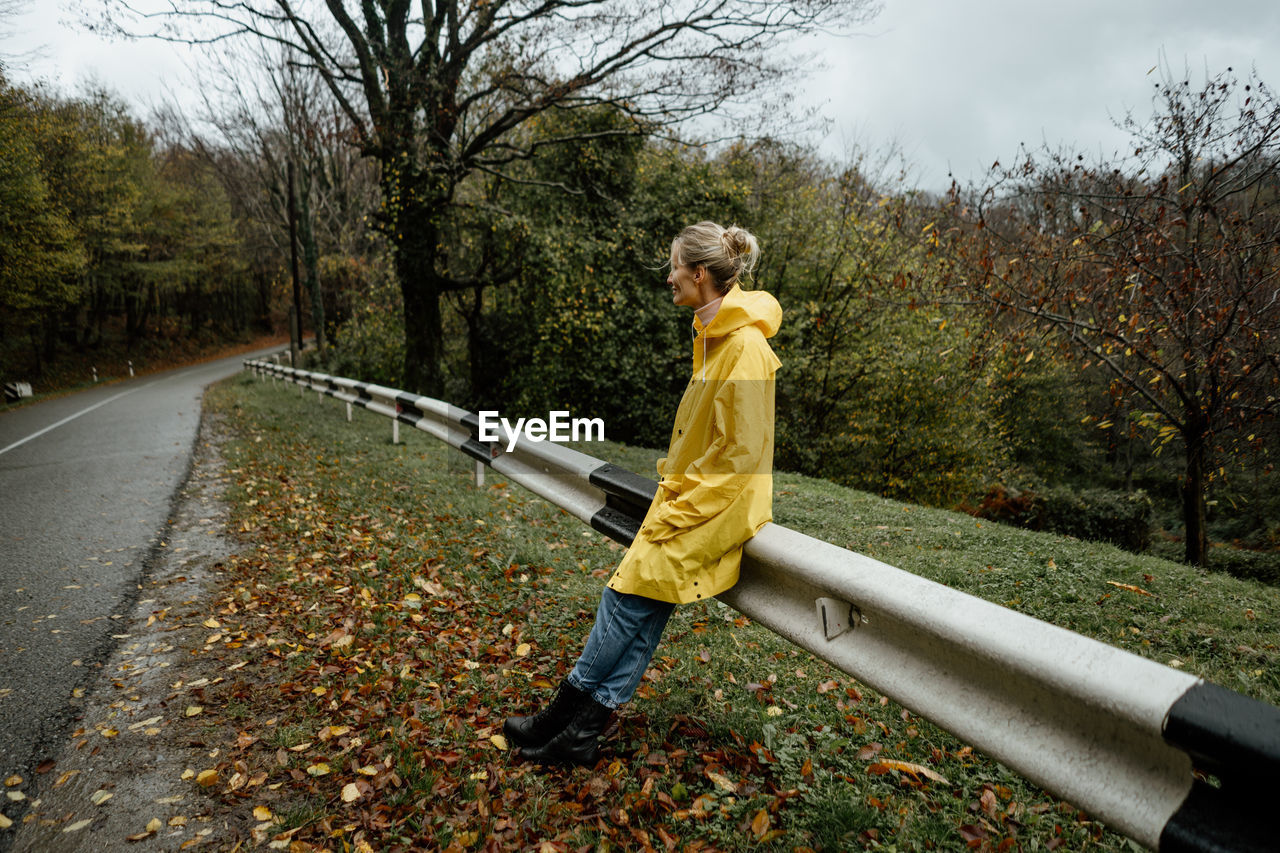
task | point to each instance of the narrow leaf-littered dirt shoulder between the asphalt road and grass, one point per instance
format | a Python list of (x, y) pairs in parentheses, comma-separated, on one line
[(130, 777)]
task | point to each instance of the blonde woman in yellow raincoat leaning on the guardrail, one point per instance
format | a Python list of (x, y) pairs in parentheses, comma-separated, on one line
[(715, 494)]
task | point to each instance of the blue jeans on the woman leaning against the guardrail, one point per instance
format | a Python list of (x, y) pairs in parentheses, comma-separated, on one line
[(621, 645)]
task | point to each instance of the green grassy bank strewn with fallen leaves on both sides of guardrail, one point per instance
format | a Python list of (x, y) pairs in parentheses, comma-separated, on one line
[(392, 615)]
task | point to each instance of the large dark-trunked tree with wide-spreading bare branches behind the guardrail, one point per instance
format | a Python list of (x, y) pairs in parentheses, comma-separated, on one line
[(437, 92)]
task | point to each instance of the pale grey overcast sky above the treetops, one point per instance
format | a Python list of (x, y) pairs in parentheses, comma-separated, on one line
[(957, 85)]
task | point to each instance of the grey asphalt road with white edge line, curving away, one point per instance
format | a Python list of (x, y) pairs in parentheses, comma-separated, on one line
[(86, 485)]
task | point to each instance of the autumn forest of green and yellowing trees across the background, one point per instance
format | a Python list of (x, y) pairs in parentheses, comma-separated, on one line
[(1077, 344)]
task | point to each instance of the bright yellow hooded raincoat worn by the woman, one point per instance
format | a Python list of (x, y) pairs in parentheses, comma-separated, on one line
[(717, 478)]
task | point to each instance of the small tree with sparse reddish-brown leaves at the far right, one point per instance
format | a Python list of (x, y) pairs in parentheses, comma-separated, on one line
[(1164, 273)]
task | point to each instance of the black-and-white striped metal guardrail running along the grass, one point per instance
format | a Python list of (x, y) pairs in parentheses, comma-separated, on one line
[(1110, 732)]
